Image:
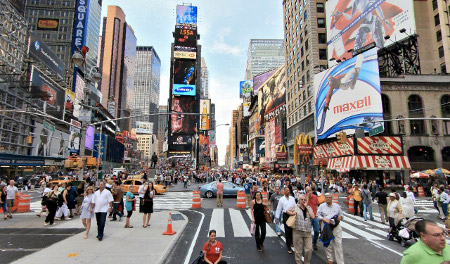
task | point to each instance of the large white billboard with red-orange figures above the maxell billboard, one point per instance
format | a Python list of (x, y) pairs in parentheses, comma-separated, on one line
[(353, 24)]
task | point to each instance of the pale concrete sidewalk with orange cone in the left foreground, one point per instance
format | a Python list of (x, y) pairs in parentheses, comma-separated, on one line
[(119, 244)]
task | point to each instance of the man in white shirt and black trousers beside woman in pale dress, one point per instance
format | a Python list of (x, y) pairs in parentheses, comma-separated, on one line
[(101, 204)]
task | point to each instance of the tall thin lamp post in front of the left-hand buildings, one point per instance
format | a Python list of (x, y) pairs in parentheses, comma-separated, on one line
[(80, 61)]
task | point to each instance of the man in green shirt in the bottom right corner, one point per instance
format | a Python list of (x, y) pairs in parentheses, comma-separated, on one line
[(431, 248)]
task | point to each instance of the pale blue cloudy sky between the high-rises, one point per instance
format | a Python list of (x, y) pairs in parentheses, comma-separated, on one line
[(225, 29)]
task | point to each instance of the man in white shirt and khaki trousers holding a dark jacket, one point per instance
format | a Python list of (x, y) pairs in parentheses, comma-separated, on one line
[(331, 214)]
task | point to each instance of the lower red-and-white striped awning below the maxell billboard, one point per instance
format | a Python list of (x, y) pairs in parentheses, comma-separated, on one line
[(369, 163)]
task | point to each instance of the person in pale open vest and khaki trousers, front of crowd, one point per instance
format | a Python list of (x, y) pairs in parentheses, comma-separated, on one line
[(302, 237)]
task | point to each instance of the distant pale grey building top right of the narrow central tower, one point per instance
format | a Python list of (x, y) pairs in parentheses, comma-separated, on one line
[(263, 55)]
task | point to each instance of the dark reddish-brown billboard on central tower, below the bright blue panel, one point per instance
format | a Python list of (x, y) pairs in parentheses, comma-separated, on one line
[(183, 123)]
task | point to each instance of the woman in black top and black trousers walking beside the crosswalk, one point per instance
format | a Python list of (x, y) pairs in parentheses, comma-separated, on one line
[(258, 208)]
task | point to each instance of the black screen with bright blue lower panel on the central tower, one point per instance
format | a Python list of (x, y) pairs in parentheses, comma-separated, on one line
[(184, 77)]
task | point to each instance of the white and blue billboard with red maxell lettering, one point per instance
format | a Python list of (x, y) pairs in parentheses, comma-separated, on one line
[(348, 95)]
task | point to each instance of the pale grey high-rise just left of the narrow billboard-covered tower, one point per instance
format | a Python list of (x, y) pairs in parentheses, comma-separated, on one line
[(146, 85)]
